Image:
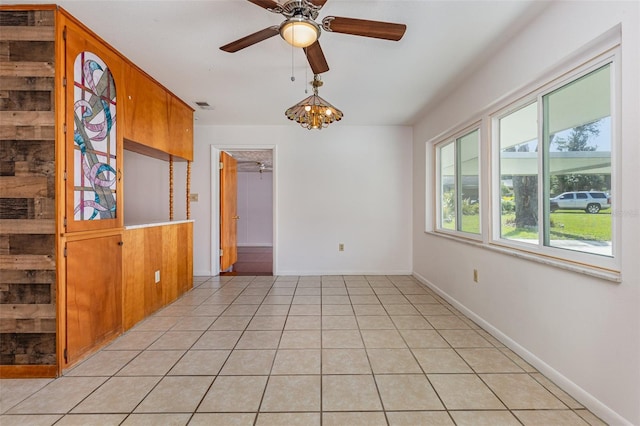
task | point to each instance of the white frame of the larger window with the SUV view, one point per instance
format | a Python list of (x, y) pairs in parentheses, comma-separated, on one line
[(583, 259)]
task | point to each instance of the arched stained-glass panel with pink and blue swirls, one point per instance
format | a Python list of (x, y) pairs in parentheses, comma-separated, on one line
[(95, 139)]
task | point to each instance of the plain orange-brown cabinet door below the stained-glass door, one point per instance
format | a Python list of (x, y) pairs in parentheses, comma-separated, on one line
[(93, 294)]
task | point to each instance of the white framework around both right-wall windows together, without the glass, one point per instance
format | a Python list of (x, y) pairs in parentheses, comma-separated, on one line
[(604, 49)]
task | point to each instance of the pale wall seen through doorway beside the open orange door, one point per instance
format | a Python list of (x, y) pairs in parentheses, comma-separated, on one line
[(255, 208)]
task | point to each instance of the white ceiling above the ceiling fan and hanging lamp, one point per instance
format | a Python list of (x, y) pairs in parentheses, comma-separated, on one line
[(372, 81)]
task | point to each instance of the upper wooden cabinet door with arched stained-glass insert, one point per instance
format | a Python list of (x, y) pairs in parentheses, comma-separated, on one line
[(93, 74)]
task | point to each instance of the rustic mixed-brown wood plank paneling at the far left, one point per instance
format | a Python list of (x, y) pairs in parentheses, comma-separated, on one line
[(27, 193)]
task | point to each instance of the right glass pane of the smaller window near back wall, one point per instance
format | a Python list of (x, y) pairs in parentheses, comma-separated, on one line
[(469, 196)]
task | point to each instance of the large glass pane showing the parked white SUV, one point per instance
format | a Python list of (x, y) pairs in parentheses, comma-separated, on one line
[(578, 147)]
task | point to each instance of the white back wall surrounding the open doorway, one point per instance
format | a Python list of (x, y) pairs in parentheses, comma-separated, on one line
[(343, 184)]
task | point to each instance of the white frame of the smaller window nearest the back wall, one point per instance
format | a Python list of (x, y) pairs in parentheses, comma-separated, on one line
[(453, 138)]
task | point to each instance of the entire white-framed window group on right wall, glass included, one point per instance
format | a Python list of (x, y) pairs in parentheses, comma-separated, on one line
[(551, 169)]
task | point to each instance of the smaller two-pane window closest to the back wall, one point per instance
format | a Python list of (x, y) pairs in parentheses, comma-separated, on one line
[(458, 184)]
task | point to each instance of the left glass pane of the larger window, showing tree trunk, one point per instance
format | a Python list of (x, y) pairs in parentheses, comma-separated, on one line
[(519, 175)]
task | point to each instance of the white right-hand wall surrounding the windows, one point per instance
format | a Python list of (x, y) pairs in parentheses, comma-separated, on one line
[(583, 332)]
